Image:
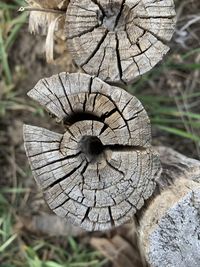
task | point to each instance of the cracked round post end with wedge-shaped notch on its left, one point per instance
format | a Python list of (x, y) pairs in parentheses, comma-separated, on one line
[(102, 169)]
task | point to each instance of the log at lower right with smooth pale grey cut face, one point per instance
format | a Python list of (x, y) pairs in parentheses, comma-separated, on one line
[(169, 226)]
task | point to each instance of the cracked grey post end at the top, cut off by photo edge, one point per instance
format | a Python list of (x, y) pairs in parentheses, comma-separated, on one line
[(119, 40)]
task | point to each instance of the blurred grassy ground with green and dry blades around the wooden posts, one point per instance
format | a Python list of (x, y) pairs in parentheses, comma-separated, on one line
[(170, 93)]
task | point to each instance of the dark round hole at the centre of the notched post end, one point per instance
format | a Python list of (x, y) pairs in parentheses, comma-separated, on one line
[(91, 146)]
